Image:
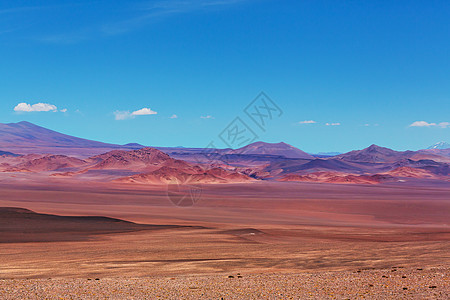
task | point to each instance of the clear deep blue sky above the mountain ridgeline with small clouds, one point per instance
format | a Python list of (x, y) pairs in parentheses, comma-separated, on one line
[(124, 69)]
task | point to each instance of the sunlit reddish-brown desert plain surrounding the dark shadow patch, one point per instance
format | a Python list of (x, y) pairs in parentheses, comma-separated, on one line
[(306, 240)]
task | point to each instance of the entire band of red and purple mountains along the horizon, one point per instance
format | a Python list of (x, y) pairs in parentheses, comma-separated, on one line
[(30, 149)]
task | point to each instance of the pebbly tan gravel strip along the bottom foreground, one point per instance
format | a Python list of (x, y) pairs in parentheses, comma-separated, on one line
[(393, 283)]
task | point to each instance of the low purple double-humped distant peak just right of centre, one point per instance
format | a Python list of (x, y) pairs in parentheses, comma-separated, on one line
[(275, 149)]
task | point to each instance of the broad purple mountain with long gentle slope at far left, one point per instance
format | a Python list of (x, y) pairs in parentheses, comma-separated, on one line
[(25, 138)]
